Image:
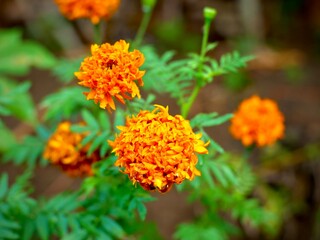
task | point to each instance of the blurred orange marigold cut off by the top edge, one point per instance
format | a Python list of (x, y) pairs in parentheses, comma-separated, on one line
[(93, 9)]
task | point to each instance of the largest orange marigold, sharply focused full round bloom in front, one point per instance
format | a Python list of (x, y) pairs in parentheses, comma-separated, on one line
[(157, 150)]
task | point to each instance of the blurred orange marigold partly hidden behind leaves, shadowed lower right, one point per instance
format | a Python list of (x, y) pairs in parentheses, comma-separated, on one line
[(64, 150)]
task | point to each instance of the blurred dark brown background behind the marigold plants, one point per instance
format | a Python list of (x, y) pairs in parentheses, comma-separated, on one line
[(284, 37)]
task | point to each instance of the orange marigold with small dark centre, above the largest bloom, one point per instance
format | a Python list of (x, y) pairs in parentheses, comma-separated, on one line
[(110, 72)]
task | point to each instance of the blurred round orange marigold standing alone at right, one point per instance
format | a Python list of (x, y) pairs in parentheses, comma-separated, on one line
[(257, 121)]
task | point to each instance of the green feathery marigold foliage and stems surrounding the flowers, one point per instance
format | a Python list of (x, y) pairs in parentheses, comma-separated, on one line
[(233, 193)]
